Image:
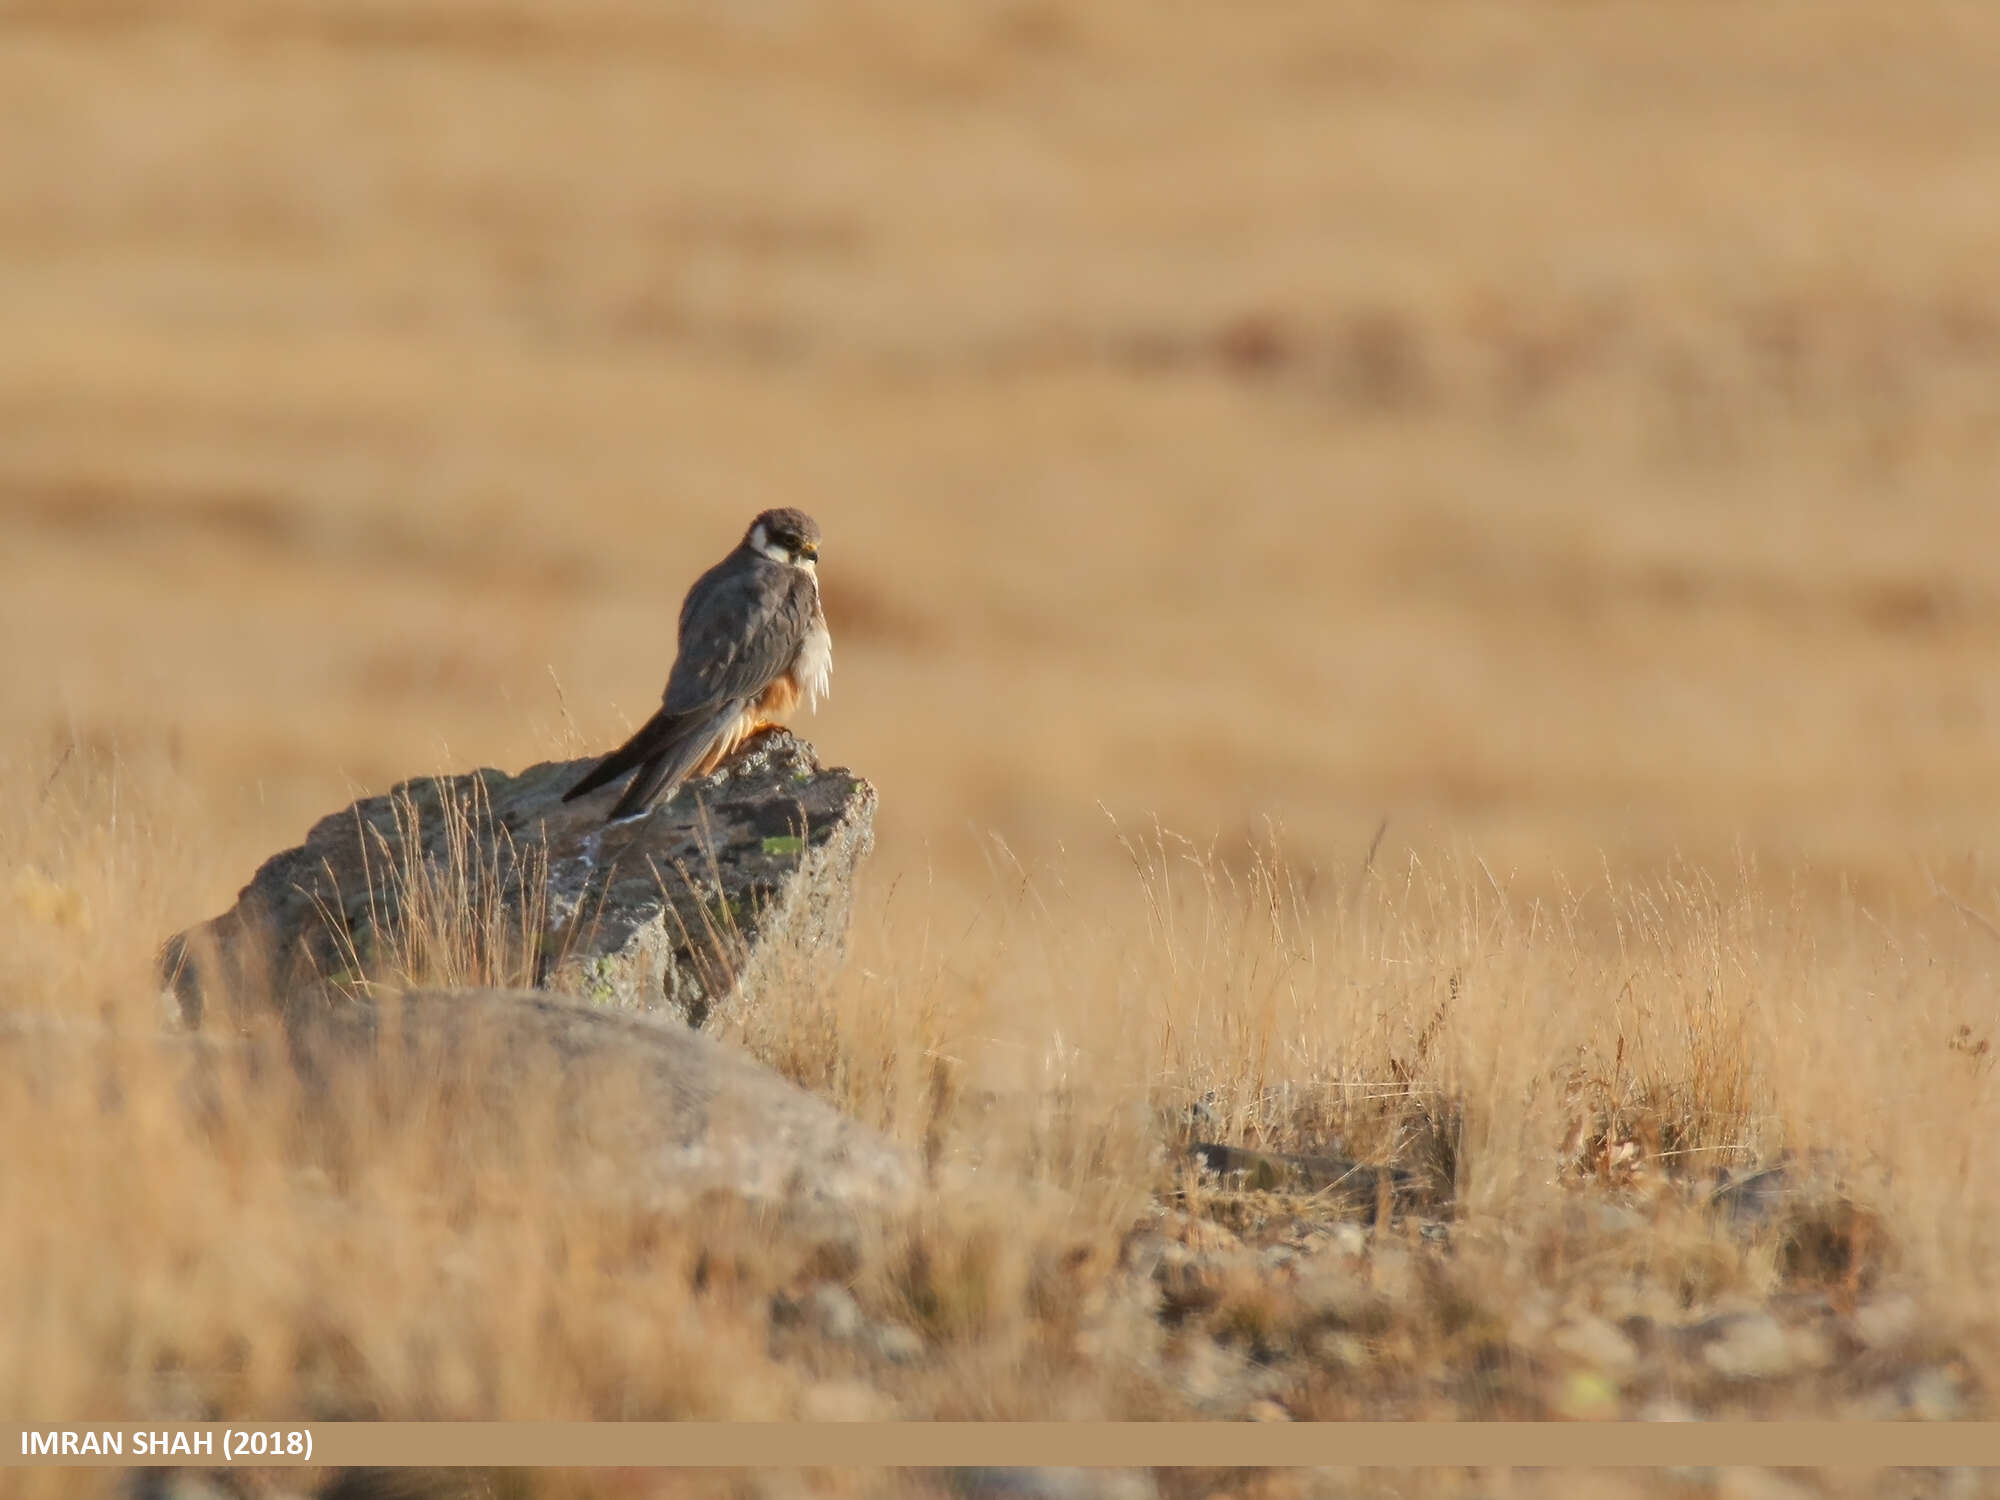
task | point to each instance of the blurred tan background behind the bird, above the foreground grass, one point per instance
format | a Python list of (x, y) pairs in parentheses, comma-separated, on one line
[(1565, 429)]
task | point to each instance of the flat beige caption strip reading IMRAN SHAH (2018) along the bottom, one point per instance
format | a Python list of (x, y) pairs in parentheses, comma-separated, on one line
[(1113, 1445)]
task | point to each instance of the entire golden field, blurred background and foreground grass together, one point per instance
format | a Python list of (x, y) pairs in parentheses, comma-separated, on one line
[(1509, 489)]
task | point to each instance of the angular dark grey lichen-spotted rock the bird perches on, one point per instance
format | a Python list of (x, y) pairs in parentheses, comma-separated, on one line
[(491, 879)]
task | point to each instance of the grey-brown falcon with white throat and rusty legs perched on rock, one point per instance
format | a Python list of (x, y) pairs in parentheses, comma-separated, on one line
[(753, 643)]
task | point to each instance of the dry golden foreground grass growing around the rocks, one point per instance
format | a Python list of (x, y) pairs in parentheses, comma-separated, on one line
[(247, 1259)]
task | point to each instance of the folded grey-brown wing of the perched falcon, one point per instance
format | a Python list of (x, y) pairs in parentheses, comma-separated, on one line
[(739, 629)]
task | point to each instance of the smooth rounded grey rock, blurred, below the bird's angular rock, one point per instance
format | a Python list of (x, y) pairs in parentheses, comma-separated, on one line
[(625, 1109)]
